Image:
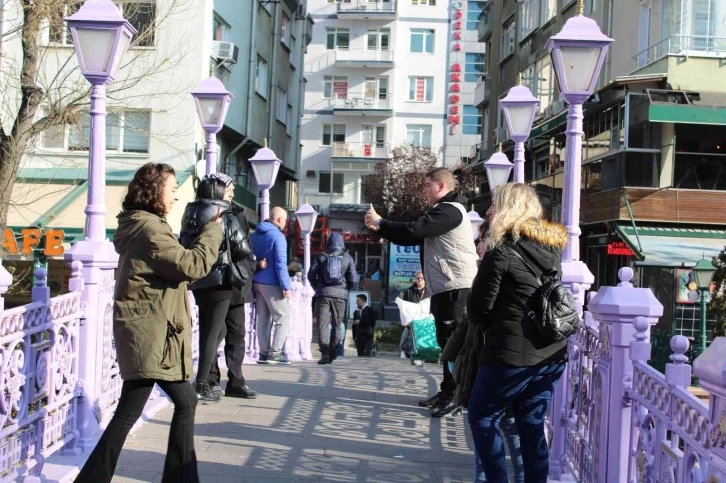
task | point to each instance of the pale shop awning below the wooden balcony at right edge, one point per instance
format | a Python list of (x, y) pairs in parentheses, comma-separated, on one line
[(671, 247)]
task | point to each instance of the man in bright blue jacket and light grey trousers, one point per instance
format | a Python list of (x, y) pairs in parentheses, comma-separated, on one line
[(272, 287)]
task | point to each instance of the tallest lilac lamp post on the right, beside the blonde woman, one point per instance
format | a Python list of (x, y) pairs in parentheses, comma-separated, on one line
[(577, 52)]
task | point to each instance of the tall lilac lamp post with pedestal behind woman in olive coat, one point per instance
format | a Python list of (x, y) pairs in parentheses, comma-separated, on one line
[(101, 37)]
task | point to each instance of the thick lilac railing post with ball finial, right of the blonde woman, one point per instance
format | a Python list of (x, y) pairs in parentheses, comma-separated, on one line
[(616, 310)]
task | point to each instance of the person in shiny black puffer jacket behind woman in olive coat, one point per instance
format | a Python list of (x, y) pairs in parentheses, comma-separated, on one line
[(218, 316)]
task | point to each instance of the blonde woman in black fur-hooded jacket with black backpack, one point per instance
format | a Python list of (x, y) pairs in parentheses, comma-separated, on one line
[(519, 366)]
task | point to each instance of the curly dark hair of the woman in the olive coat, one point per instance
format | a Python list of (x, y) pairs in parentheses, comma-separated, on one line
[(147, 188)]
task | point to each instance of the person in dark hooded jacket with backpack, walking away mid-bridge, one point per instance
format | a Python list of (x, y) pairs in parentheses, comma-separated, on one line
[(332, 274)]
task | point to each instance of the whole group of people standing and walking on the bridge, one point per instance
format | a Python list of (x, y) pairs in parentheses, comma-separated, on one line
[(496, 363)]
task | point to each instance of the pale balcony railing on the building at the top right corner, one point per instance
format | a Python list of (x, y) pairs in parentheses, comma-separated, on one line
[(682, 45)]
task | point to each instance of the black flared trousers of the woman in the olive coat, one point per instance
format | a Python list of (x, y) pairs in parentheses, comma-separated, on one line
[(181, 460)]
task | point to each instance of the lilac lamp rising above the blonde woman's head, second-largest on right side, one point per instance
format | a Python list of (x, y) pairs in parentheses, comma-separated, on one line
[(519, 108)]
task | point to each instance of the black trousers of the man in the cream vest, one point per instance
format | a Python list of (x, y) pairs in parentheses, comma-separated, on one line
[(448, 311)]
